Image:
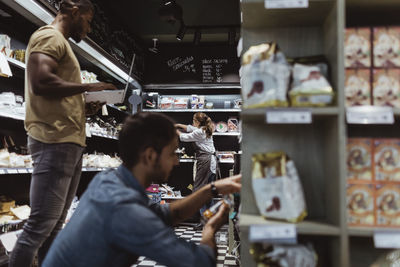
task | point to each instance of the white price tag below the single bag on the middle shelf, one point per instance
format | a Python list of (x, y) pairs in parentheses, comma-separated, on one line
[(274, 233)]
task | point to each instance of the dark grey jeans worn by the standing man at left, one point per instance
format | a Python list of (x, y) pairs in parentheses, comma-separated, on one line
[(55, 178)]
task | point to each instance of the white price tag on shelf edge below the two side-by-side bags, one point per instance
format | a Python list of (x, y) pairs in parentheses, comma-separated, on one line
[(287, 116)]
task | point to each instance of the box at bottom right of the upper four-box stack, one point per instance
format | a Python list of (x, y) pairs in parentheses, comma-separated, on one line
[(386, 87)]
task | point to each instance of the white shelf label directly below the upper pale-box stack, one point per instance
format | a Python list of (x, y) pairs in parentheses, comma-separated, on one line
[(369, 115)]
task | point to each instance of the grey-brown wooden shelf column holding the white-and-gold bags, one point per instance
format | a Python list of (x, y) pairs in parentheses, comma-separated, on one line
[(317, 149)]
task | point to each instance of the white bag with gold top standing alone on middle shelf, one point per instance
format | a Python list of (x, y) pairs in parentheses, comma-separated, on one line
[(277, 187)]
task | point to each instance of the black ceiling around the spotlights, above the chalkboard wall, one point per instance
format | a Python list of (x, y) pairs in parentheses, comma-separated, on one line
[(141, 17)]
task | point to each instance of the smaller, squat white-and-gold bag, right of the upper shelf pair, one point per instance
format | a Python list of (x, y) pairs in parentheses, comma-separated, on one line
[(310, 88)]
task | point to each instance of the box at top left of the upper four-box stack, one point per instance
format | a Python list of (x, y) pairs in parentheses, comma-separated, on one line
[(357, 48)]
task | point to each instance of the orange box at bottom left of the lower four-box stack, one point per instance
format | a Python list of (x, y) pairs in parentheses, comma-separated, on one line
[(360, 205)]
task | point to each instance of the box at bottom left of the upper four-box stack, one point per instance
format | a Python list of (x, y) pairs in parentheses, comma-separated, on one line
[(357, 87)]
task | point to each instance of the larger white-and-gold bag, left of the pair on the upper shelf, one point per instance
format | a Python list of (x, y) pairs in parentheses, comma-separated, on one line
[(265, 77)]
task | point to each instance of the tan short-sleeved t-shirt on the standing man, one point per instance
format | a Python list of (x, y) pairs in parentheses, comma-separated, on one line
[(50, 119)]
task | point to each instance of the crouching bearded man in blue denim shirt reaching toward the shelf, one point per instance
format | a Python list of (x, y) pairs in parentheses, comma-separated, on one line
[(114, 222)]
